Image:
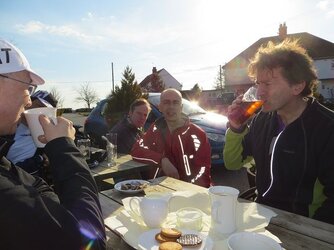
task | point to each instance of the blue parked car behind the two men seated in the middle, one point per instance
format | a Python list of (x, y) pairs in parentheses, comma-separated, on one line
[(213, 124)]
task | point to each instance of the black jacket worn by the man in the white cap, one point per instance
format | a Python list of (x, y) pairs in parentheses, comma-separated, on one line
[(33, 216)]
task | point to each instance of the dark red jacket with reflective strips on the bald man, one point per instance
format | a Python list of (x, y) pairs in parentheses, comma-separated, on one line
[(187, 148)]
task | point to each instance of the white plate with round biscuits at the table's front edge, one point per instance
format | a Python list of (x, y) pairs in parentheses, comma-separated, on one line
[(174, 239)]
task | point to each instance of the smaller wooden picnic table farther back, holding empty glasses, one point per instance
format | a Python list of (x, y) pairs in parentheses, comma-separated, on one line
[(125, 168)]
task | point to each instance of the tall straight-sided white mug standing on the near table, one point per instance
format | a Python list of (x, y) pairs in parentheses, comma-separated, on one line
[(223, 208)]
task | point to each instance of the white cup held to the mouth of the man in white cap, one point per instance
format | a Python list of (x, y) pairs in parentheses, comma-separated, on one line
[(32, 117)]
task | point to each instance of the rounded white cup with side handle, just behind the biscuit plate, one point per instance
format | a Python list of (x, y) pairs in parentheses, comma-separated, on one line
[(153, 210)]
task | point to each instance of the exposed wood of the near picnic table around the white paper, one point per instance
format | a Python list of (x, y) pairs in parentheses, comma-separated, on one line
[(295, 231)]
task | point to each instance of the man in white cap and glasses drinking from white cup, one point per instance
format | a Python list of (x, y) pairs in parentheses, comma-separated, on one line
[(32, 215)]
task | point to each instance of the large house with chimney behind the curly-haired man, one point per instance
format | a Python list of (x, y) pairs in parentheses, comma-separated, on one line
[(321, 51)]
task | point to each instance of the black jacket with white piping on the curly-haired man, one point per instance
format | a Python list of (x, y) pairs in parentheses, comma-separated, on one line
[(301, 177)]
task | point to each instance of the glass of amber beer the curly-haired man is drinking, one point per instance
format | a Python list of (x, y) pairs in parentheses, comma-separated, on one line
[(249, 105)]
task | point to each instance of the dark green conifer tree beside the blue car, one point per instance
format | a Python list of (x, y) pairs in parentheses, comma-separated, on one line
[(121, 99)]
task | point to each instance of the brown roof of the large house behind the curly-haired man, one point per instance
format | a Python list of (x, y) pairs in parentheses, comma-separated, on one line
[(316, 47)]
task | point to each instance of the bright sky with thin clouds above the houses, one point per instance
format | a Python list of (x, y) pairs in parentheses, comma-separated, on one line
[(73, 43)]
